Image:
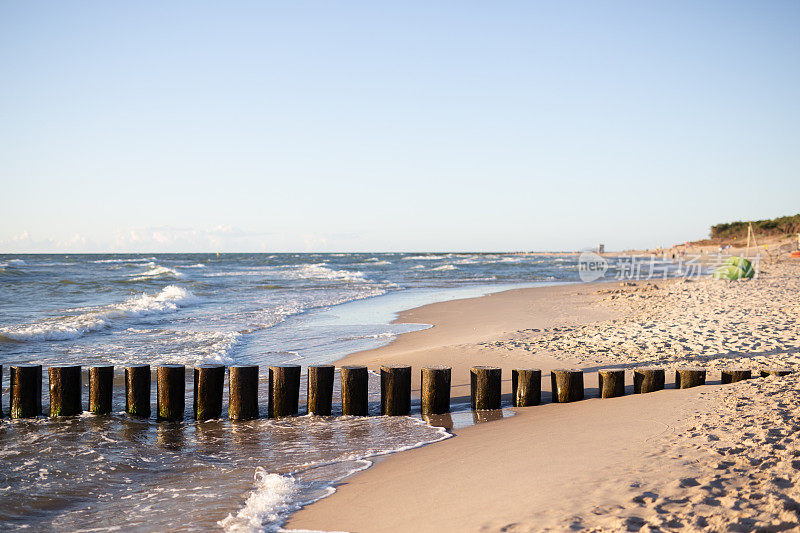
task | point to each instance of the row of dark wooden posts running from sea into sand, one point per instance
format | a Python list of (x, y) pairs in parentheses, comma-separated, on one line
[(284, 389)]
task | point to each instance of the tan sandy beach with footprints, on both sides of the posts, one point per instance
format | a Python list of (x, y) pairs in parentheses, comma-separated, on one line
[(714, 457)]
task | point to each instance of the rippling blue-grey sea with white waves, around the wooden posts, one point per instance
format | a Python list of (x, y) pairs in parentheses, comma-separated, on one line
[(103, 473)]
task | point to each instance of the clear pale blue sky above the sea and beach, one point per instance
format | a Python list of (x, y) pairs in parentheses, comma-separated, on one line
[(393, 126)]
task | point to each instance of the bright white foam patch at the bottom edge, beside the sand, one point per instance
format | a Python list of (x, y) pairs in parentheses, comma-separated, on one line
[(272, 498)]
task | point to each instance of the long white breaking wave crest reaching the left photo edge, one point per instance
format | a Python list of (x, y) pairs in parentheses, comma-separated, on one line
[(168, 300)]
